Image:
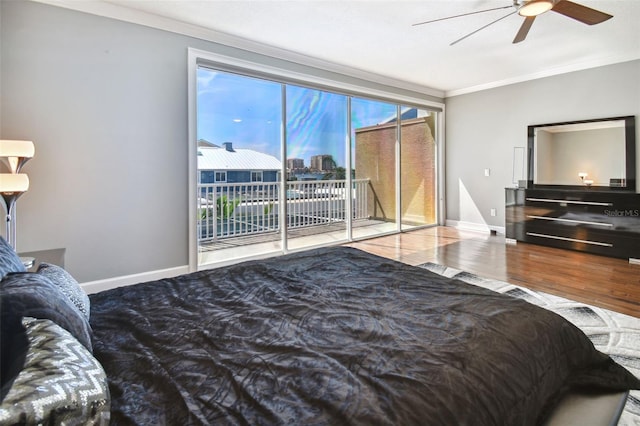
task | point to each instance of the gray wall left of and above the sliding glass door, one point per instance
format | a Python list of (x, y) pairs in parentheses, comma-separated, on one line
[(105, 103)]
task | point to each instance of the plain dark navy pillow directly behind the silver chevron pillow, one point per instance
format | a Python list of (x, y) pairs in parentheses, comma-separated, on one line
[(34, 295)]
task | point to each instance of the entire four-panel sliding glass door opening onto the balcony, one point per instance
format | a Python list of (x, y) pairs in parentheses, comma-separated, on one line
[(282, 167)]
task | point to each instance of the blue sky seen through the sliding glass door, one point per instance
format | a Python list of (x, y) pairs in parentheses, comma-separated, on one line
[(248, 112)]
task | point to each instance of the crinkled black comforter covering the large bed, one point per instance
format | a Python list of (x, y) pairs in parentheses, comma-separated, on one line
[(334, 336)]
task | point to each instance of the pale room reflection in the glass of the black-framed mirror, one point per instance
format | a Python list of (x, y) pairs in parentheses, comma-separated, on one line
[(574, 154)]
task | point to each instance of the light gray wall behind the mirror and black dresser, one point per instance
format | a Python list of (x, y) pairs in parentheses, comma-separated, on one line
[(483, 128)]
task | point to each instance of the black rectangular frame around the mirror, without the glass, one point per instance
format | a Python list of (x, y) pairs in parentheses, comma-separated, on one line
[(630, 155)]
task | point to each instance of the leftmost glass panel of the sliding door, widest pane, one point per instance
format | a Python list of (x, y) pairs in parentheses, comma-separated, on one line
[(239, 161)]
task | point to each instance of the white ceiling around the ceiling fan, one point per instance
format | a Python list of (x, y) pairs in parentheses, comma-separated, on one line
[(377, 36)]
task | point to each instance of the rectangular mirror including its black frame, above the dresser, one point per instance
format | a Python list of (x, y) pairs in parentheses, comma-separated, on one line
[(597, 154)]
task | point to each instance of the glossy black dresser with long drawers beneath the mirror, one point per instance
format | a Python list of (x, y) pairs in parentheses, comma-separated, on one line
[(602, 222)]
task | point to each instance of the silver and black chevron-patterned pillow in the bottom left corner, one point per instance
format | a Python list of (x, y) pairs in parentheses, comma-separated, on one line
[(61, 382)]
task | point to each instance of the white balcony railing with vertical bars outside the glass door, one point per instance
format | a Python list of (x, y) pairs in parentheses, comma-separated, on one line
[(240, 209)]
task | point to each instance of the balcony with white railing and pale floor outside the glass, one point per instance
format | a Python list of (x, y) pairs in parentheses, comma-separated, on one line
[(242, 221)]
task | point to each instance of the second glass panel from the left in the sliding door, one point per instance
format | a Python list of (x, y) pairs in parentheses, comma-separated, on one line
[(316, 131)]
